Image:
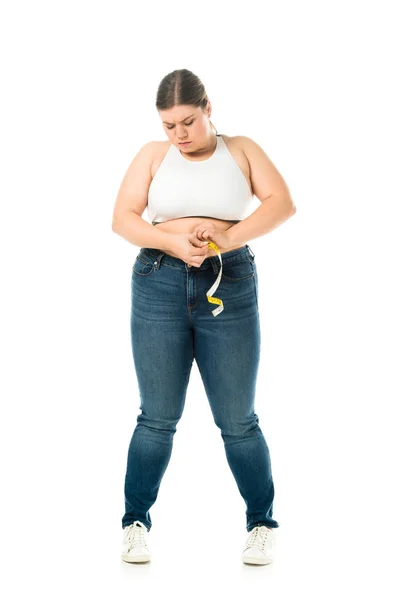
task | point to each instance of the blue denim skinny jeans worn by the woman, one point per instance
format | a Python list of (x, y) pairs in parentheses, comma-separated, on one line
[(172, 324)]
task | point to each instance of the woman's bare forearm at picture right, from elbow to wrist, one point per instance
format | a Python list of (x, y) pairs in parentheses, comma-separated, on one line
[(271, 213)]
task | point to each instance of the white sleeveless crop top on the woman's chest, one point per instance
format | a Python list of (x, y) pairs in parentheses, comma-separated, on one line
[(214, 188)]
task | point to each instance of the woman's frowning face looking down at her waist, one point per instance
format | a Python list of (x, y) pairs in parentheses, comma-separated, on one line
[(187, 123)]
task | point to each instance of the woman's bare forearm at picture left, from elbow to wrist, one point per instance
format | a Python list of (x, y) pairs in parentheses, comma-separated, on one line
[(139, 232)]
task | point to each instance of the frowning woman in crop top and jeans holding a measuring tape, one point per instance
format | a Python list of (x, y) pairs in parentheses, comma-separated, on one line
[(197, 187)]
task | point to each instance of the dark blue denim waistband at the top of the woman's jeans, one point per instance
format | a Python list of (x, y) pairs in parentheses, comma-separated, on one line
[(155, 255)]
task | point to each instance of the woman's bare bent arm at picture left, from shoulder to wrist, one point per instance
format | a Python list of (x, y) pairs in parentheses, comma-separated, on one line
[(131, 202)]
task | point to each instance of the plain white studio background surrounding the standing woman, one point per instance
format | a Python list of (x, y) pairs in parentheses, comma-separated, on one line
[(314, 83)]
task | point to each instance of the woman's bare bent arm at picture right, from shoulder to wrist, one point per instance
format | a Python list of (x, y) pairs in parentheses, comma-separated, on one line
[(270, 188)]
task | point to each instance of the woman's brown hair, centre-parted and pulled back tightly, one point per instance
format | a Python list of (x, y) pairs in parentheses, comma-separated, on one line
[(181, 87)]
